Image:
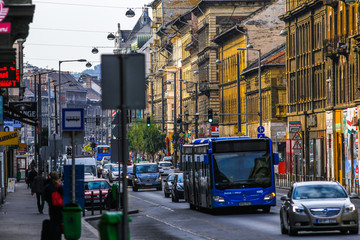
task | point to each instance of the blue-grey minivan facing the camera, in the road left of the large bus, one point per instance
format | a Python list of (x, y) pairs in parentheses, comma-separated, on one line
[(146, 175)]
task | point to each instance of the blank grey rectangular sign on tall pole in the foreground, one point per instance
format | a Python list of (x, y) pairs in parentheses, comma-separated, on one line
[(123, 80)]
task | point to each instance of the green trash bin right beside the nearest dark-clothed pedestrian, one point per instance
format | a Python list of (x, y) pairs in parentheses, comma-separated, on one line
[(72, 221)]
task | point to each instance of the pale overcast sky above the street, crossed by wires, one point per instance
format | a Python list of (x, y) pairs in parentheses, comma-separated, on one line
[(68, 30)]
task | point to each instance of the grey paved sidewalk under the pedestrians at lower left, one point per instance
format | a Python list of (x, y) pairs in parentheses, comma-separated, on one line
[(20, 219)]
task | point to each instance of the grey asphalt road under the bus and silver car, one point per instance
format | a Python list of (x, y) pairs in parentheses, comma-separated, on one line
[(159, 218)]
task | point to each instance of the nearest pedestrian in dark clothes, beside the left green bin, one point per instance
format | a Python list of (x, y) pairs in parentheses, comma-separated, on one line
[(55, 213)]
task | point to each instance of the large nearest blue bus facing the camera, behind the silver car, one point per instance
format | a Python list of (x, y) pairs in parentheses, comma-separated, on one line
[(229, 172)]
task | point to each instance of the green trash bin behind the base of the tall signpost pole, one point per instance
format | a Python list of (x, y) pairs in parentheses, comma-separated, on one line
[(110, 224)]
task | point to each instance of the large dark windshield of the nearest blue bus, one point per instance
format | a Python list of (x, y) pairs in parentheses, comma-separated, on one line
[(242, 170)]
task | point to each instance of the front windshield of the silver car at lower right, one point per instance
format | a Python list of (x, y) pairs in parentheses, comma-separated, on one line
[(319, 191)]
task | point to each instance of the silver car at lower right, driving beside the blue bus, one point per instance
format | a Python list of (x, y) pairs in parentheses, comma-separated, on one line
[(318, 206)]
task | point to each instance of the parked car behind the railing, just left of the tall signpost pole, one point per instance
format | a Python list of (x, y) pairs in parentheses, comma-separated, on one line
[(95, 185)]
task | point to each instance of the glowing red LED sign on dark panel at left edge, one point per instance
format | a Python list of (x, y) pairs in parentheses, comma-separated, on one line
[(9, 75)]
